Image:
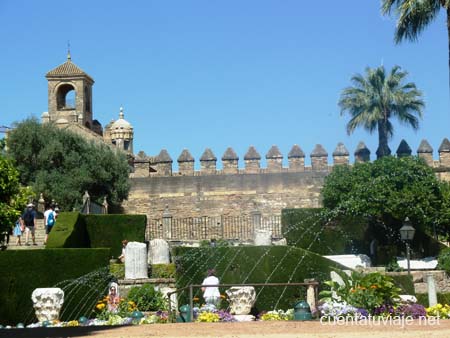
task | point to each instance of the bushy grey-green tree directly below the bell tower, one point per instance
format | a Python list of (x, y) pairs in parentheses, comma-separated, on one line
[(62, 165)]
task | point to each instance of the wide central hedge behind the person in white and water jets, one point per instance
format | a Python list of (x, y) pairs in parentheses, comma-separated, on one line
[(238, 265)]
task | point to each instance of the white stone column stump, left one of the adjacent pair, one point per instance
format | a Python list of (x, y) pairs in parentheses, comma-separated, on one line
[(136, 261)]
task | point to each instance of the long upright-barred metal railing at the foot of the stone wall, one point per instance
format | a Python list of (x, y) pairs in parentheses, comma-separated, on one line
[(206, 228)]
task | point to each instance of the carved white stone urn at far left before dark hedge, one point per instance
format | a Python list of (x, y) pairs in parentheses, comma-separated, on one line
[(47, 303)]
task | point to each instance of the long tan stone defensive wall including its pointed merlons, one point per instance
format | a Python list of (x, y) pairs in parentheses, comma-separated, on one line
[(235, 191)]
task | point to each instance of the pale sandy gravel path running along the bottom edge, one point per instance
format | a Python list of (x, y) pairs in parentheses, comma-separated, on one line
[(280, 330)]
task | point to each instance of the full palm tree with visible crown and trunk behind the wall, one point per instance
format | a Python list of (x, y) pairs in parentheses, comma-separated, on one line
[(374, 99)]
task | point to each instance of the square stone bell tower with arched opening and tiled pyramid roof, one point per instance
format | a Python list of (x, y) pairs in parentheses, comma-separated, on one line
[(69, 95)]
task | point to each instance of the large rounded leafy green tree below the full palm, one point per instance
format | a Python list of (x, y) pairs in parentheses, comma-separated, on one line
[(387, 191)]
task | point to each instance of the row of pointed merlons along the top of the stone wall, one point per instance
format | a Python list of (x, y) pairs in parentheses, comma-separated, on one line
[(161, 165)]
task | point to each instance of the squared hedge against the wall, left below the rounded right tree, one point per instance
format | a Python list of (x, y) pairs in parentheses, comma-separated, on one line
[(304, 228)]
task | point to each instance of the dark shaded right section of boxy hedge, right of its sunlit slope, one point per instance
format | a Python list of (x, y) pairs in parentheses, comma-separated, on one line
[(108, 231)]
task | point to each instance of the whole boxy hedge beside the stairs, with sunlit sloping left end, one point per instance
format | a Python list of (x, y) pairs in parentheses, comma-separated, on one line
[(75, 230)]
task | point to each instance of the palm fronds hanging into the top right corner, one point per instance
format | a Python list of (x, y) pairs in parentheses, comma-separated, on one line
[(414, 16)]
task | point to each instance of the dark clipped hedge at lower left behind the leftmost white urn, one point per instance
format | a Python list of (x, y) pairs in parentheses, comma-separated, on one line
[(22, 271)]
